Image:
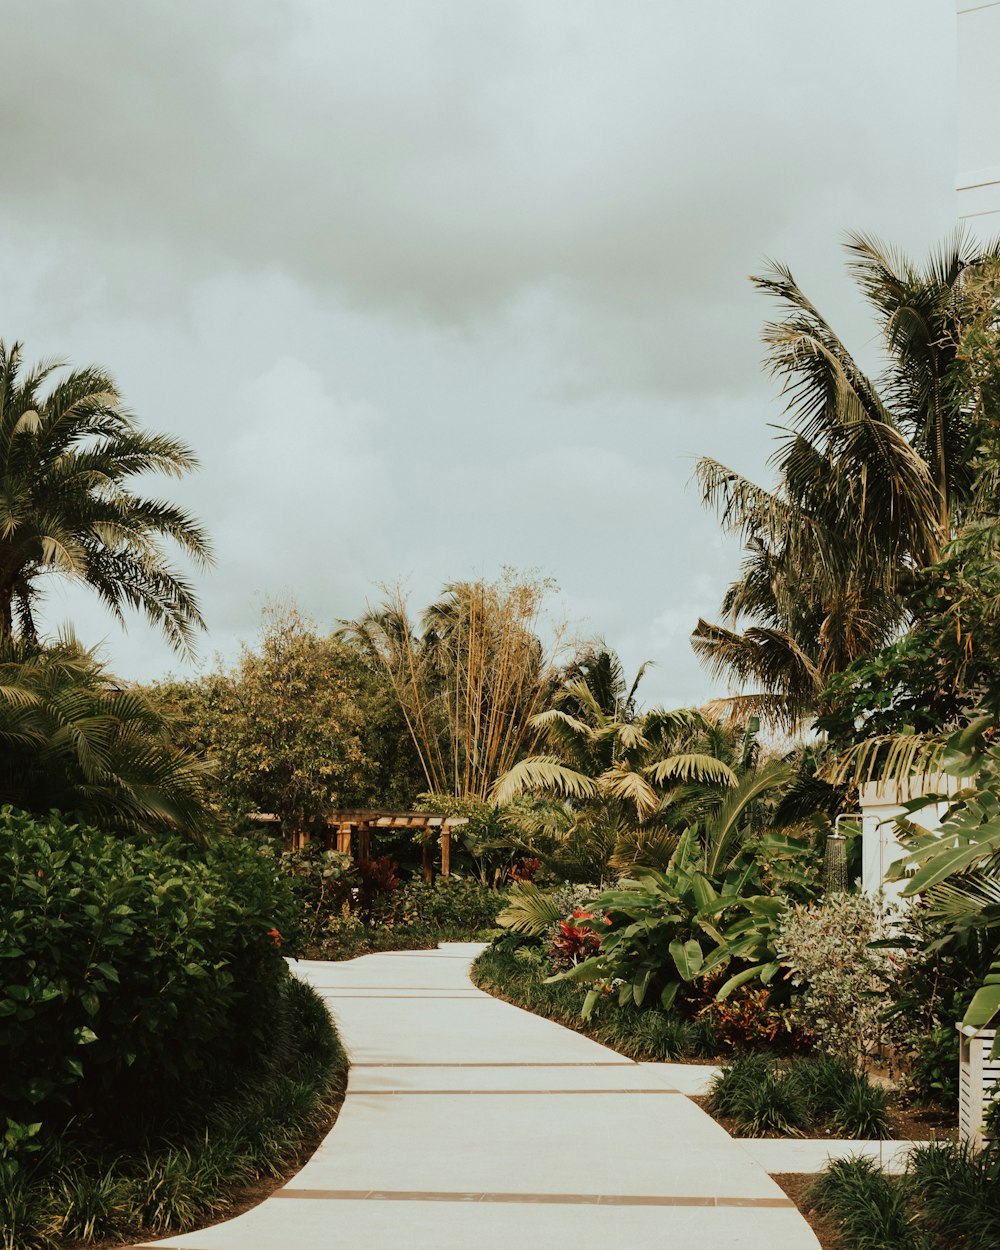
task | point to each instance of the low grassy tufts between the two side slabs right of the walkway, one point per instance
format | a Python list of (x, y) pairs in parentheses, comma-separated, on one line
[(768, 1097)]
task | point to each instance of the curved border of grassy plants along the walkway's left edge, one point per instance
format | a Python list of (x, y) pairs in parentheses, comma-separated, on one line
[(86, 1191)]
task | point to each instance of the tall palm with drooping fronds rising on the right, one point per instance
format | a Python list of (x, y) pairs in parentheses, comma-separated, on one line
[(873, 476)]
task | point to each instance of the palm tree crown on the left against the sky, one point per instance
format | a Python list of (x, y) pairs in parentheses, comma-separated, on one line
[(67, 461)]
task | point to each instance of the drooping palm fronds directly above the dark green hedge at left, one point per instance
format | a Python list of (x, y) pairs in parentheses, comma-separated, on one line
[(72, 738)]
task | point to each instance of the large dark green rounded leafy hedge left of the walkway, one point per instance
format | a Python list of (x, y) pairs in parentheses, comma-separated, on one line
[(138, 976)]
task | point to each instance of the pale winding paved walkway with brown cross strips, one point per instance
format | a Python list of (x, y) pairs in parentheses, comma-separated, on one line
[(473, 1126)]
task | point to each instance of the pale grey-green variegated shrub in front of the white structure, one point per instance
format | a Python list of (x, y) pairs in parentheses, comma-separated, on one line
[(842, 981)]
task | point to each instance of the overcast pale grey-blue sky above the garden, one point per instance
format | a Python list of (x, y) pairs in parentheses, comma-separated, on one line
[(436, 287)]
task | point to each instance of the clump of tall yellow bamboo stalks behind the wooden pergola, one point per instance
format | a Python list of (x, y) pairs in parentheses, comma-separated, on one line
[(469, 679)]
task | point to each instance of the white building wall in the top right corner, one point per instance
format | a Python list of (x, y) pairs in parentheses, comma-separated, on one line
[(979, 114)]
